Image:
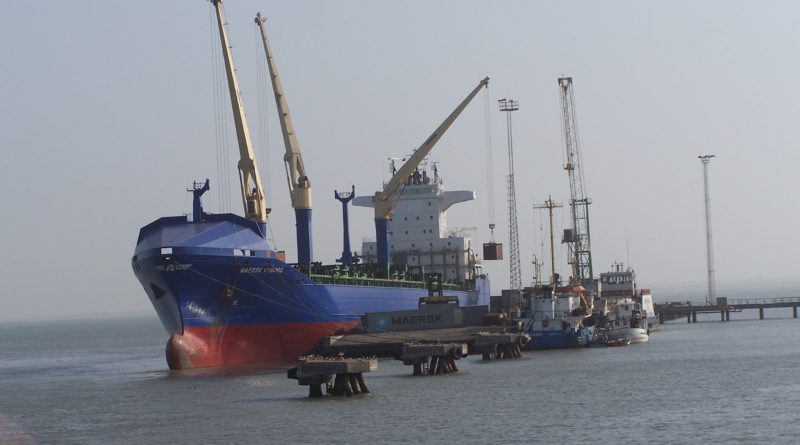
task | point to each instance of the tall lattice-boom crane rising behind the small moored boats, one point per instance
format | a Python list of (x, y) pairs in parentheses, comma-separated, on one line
[(577, 238)]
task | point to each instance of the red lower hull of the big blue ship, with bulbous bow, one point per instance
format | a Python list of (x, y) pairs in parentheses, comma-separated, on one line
[(270, 344)]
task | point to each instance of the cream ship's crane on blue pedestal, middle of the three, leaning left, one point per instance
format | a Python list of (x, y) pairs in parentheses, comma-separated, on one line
[(299, 185)]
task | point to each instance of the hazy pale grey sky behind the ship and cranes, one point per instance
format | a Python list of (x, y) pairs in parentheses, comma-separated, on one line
[(108, 114)]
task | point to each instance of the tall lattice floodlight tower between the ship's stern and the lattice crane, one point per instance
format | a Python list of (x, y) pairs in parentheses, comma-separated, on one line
[(515, 274)]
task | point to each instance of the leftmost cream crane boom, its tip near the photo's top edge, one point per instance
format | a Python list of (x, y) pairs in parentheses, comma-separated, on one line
[(253, 197)]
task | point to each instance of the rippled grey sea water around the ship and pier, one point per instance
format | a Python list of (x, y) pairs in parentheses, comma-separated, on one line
[(99, 382)]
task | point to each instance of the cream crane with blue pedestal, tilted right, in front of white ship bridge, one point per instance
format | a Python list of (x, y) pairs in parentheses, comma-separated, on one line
[(384, 201)]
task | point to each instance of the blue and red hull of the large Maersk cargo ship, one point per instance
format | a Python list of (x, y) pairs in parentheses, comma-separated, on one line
[(226, 298)]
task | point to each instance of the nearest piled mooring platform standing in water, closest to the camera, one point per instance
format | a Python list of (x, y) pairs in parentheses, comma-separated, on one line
[(341, 376)]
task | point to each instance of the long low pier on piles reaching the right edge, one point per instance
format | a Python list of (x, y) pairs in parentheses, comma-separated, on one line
[(672, 311)]
